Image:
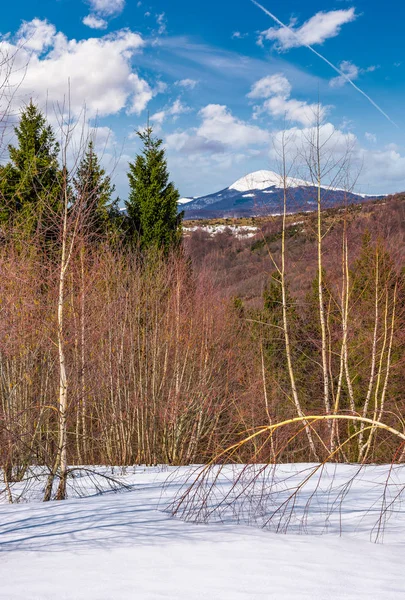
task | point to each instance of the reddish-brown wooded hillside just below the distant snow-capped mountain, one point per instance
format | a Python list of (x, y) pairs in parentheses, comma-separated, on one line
[(242, 265)]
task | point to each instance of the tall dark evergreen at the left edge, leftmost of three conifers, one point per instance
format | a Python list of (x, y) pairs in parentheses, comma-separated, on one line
[(30, 183)]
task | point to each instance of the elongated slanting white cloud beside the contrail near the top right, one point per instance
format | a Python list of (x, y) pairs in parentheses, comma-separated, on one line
[(316, 30)]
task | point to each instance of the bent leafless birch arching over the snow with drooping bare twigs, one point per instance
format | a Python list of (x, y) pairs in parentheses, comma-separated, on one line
[(294, 497)]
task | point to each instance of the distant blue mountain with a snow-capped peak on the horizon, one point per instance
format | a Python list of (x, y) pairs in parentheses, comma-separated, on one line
[(261, 193)]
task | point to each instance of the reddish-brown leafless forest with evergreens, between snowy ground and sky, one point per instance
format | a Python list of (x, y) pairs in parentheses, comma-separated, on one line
[(122, 343)]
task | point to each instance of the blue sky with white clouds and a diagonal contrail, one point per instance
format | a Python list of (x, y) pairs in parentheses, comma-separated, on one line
[(219, 80)]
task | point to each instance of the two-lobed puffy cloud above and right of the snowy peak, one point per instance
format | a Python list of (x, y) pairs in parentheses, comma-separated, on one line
[(276, 91)]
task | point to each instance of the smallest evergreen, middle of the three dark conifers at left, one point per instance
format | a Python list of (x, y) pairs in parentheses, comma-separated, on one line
[(93, 191)]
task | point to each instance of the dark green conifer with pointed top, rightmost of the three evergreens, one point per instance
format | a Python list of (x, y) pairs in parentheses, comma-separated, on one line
[(152, 205)]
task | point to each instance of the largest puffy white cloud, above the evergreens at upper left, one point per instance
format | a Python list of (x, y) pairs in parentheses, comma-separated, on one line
[(99, 69)]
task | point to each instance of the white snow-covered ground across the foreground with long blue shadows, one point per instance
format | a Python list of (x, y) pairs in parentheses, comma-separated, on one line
[(125, 546)]
